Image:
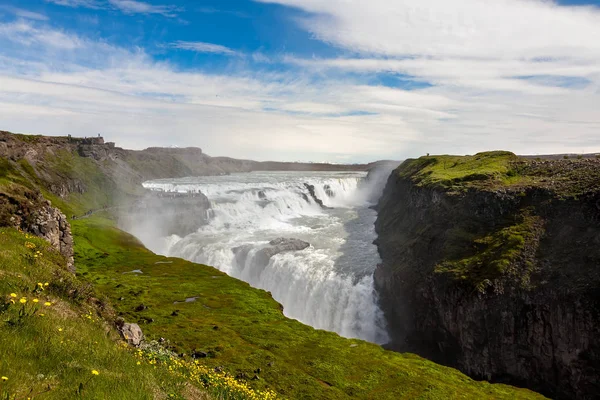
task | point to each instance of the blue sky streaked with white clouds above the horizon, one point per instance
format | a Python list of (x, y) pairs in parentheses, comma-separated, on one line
[(306, 80)]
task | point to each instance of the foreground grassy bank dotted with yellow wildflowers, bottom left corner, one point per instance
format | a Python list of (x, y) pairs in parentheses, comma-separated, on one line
[(56, 342)]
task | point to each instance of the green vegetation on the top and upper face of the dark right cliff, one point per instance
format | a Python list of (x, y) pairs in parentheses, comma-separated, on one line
[(482, 254)]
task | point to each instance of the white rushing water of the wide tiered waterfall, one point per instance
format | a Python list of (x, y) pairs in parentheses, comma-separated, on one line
[(328, 285)]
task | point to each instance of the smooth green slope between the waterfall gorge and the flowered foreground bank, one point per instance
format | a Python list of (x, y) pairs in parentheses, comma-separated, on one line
[(243, 329)]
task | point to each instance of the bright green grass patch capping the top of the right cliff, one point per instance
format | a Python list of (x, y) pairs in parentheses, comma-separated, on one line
[(452, 172)]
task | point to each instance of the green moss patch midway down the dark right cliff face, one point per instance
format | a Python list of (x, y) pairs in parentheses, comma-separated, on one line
[(480, 259)]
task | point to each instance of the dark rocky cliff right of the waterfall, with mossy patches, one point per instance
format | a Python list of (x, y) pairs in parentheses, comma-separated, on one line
[(500, 279)]
